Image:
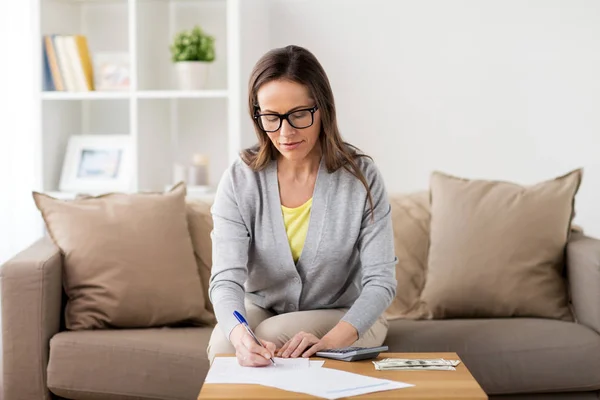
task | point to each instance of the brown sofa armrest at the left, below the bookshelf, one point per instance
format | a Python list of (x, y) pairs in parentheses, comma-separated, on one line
[(31, 290)]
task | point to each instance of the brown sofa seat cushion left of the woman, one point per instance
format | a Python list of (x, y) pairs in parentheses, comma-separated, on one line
[(155, 363)]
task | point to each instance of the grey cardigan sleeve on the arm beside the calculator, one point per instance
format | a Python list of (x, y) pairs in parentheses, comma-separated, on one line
[(376, 247)]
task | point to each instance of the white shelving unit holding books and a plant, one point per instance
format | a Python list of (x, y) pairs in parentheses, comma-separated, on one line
[(166, 125)]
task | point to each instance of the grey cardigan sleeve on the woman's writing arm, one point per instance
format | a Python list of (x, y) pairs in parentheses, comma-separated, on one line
[(230, 243)]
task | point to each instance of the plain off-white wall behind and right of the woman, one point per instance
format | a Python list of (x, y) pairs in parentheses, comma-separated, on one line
[(502, 89)]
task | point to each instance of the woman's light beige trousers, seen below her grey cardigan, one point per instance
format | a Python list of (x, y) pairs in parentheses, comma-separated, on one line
[(281, 328)]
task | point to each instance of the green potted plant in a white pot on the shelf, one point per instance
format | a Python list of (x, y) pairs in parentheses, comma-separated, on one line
[(192, 52)]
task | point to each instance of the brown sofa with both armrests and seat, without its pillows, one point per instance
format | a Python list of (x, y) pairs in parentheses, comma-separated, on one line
[(520, 358)]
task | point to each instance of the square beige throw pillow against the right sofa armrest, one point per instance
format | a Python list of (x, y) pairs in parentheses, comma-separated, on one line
[(497, 248)]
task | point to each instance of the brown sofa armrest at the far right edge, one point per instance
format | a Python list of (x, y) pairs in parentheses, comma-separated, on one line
[(583, 274)]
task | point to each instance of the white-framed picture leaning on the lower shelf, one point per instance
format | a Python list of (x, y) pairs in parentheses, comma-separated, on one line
[(96, 164)]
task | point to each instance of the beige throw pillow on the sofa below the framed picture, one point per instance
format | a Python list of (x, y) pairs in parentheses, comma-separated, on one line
[(128, 260)]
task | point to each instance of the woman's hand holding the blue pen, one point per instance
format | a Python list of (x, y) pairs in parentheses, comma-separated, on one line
[(247, 351)]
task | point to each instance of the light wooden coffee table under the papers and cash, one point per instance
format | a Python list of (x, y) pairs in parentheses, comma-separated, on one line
[(458, 384)]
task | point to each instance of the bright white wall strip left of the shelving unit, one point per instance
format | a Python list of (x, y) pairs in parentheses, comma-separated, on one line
[(19, 225)]
